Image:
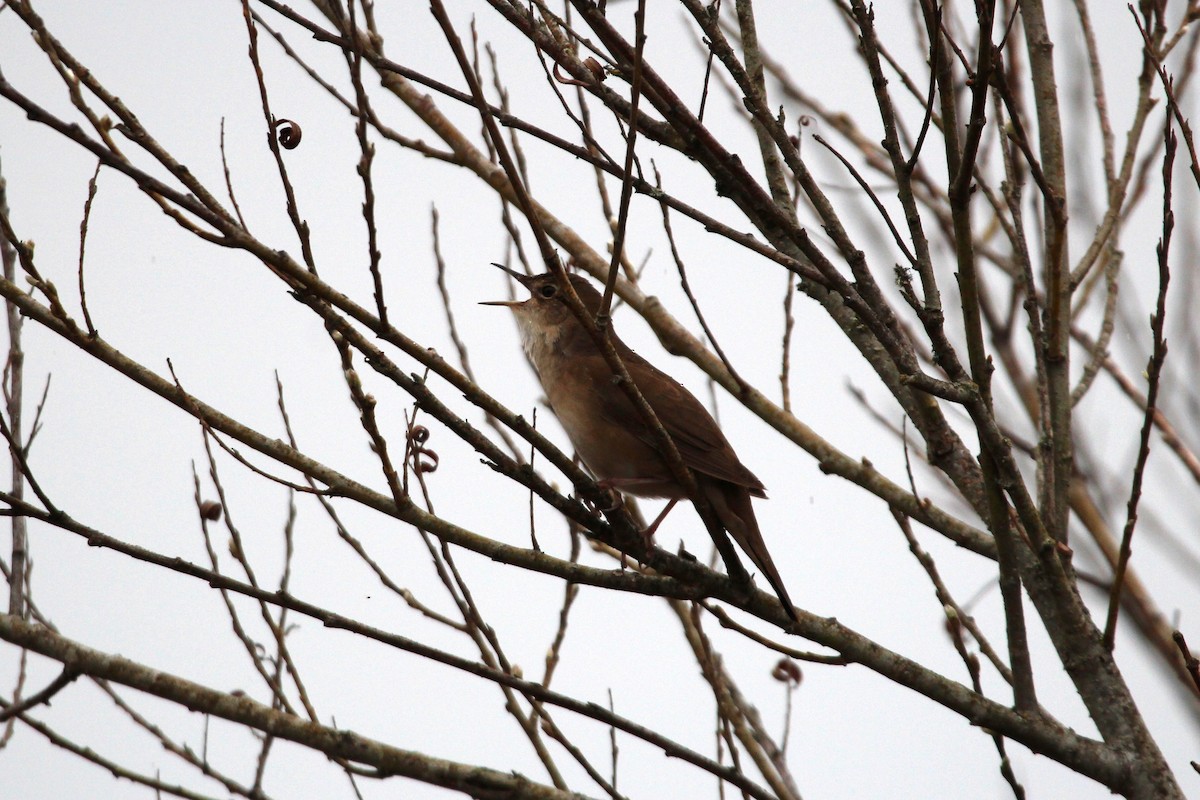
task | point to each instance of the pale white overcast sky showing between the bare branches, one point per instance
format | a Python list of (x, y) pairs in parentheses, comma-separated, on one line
[(122, 461)]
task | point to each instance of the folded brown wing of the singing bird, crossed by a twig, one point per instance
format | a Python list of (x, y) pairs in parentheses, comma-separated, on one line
[(697, 436)]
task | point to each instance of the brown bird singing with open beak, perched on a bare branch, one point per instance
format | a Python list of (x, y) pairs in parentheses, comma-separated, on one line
[(611, 436)]
